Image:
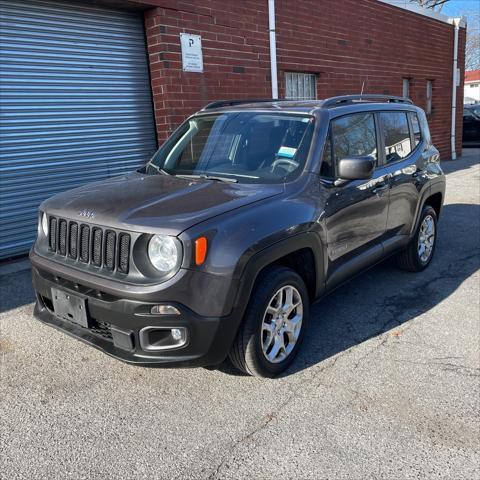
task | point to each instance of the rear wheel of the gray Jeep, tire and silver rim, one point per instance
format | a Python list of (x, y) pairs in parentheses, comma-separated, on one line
[(419, 252)]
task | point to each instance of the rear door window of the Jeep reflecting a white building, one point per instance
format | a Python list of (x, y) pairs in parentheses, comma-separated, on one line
[(396, 135)]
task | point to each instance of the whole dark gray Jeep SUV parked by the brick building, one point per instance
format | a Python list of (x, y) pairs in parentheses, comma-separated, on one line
[(249, 212)]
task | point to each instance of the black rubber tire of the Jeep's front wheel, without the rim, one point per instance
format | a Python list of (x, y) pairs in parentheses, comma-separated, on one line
[(246, 353)]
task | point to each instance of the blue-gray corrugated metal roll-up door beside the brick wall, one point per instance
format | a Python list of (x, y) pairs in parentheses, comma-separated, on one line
[(75, 105)]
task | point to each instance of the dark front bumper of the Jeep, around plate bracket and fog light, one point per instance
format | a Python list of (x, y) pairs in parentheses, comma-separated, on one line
[(114, 325)]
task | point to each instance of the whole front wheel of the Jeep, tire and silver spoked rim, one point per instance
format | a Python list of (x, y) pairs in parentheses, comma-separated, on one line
[(274, 324)]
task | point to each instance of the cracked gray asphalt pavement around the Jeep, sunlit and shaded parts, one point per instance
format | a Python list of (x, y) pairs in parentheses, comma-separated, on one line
[(387, 385)]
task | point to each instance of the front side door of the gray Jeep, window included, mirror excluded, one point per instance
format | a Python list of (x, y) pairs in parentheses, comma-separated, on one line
[(356, 211)]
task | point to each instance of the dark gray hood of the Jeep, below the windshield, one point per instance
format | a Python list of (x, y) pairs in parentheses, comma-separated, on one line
[(154, 203)]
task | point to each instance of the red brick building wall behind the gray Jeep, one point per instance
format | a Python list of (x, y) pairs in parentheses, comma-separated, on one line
[(346, 43)]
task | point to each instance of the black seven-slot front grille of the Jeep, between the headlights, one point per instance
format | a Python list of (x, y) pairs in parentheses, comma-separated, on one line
[(93, 245)]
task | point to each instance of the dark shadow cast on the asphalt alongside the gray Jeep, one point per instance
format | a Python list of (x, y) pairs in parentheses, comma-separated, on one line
[(384, 298)]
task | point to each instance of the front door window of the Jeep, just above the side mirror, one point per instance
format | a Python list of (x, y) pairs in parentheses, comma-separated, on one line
[(354, 135)]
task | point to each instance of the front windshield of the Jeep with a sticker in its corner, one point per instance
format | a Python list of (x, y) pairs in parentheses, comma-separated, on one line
[(246, 147)]
